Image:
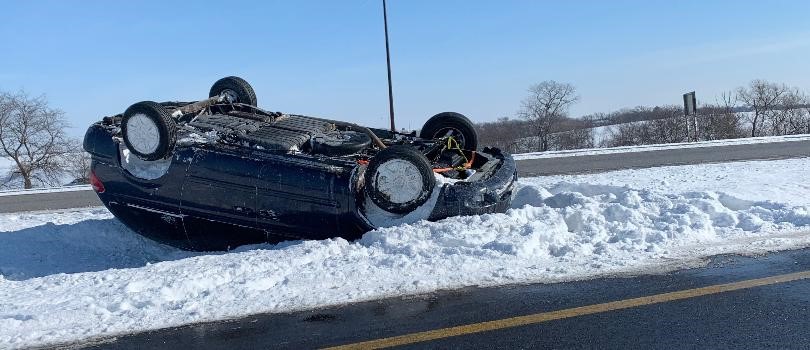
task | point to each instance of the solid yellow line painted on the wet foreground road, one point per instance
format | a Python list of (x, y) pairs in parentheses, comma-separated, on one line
[(573, 312)]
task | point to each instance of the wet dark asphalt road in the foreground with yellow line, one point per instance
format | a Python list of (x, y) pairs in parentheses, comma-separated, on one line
[(775, 314)]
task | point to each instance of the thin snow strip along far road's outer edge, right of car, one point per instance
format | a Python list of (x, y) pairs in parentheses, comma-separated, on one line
[(648, 148)]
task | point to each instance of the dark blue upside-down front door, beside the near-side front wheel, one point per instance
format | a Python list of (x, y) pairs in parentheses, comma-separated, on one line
[(296, 197)]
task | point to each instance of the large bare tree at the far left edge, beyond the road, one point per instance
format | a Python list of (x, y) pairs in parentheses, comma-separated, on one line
[(33, 136)]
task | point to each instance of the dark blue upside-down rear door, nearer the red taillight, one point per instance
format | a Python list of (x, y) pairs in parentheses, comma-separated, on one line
[(220, 185)]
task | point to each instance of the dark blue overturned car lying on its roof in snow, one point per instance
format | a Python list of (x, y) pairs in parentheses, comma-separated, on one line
[(221, 172)]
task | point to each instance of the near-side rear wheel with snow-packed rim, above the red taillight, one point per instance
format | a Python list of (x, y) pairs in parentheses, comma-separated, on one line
[(149, 131)]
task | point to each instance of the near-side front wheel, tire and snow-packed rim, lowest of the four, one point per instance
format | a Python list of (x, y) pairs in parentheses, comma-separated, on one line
[(399, 179)]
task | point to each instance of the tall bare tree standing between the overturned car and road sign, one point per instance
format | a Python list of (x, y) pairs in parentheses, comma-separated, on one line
[(547, 104)]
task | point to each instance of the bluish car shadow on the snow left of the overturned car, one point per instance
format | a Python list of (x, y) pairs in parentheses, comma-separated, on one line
[(86, 246)]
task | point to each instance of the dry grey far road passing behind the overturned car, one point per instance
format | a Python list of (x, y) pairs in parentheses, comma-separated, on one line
[(533, 167)]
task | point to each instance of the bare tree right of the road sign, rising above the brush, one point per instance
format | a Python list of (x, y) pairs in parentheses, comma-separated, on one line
[(763, 97)]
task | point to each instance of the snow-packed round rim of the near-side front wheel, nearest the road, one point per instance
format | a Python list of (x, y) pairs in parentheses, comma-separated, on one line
[(399, 181)]
